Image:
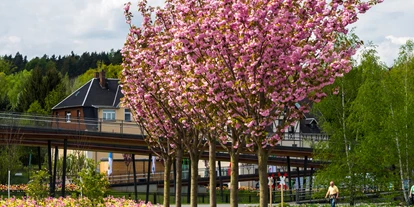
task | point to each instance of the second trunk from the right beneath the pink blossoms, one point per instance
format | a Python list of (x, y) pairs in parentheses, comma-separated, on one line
[(234, 180)]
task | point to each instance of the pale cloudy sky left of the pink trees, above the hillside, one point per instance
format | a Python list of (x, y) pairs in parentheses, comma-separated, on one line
[(59, 27)]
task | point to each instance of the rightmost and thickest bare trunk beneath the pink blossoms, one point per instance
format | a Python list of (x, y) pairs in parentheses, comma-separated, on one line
[(263, 156)]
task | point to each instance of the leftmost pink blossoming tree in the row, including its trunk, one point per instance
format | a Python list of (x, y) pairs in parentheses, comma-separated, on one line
[(144, 94)]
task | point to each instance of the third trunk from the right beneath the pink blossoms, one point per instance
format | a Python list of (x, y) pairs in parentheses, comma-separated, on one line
[(212, 173)]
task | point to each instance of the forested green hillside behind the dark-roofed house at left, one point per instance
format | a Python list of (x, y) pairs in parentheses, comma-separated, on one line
[(38, 84)]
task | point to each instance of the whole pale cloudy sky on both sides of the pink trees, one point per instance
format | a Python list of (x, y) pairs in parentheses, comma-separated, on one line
[(35, 28)]
